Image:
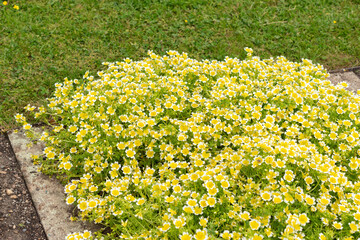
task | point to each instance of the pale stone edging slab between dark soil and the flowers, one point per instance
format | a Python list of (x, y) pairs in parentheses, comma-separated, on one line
[(47, 193)]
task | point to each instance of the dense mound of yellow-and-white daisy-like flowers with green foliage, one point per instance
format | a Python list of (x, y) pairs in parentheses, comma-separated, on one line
[(174, 148)]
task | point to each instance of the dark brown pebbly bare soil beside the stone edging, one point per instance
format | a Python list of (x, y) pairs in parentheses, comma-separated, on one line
[(18, 217)]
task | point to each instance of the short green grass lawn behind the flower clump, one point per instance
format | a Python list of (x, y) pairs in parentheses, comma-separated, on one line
[(46, 41)]
